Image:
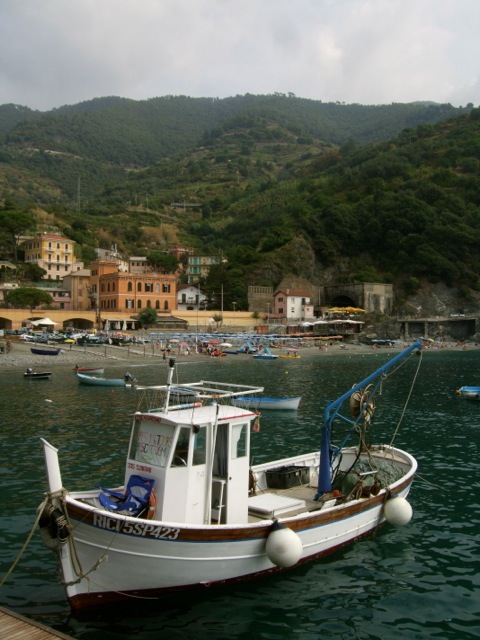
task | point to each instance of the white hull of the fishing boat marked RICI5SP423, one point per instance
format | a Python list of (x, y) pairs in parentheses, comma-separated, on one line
[(149, 557)]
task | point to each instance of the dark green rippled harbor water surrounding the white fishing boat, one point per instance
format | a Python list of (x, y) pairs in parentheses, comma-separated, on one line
[(418, 581)]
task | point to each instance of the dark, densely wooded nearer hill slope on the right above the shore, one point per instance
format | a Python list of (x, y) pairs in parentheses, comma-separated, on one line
[(405, 211)]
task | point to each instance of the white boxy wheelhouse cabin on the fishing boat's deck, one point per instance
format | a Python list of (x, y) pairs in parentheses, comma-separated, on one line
[(198, 455)]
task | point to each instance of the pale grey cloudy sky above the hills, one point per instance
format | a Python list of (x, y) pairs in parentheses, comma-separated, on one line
[(57, 52)]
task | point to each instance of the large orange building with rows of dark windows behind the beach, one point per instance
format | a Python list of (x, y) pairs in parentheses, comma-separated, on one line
[(129, 292)]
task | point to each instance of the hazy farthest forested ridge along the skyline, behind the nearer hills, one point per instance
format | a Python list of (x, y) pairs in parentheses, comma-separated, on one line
[(137, 133)]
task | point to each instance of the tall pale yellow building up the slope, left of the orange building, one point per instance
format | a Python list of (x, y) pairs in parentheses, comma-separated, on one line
[(52, 252)]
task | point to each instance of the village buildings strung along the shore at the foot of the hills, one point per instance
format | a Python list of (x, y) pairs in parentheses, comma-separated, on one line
[(127, 286)]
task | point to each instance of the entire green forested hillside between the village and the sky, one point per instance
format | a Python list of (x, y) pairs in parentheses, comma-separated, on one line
[(273, 191)]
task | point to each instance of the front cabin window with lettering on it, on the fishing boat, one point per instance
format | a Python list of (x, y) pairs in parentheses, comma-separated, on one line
[(151, 443)]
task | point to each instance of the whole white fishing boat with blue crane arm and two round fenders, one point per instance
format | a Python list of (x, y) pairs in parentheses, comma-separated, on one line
[(192, 512)]
